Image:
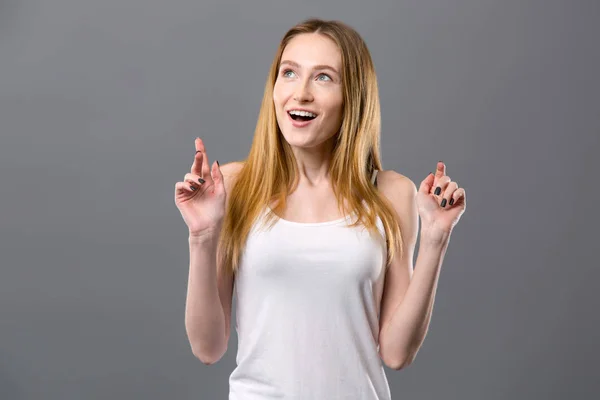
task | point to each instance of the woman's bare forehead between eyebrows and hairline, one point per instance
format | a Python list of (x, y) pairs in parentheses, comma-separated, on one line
[(309, 49)]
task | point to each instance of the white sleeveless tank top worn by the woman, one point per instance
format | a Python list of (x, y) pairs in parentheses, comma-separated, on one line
[(307, 313)]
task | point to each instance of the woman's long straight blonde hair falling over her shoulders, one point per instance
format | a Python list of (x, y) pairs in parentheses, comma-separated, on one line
[(270, 171)]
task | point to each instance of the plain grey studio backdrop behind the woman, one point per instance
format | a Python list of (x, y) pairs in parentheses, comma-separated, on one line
[(100, 102)]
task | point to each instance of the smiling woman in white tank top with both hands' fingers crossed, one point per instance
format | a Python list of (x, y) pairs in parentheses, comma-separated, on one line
[(318, 243)]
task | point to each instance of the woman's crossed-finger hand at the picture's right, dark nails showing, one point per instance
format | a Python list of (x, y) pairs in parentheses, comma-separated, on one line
[(440, 203)]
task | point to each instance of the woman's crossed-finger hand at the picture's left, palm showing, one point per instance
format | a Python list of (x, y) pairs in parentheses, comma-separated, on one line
[(202, 205)]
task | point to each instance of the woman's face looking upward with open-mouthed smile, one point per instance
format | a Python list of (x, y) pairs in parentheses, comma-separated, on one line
[(309, 78)]
